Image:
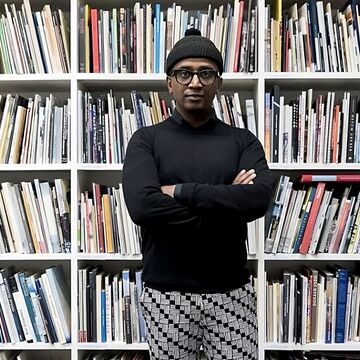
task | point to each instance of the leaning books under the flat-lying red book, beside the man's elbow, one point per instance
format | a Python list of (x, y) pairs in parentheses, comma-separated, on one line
[(321, 218)]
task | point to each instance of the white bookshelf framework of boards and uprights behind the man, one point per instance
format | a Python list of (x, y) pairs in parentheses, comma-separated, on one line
[(81, 175)]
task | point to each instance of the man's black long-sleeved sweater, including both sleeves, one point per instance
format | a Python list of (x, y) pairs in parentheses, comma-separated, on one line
[(196, 241)]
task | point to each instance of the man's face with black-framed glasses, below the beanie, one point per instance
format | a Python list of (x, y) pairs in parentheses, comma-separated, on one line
[(194, 97)]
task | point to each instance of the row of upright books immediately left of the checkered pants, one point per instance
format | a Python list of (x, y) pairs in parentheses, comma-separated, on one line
[(109, 306)]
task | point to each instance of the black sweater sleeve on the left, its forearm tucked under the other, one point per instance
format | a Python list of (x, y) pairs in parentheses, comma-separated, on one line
[(142, 190)]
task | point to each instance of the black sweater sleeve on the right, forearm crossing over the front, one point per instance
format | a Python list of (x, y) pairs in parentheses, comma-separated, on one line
[(248, 201)]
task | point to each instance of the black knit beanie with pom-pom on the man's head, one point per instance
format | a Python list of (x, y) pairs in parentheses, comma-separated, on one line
[(193, 45)]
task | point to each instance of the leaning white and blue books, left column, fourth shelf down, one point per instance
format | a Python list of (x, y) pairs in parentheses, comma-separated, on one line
[(35, 307)]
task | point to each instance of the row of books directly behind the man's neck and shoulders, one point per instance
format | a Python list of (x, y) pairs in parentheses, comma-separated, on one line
[(106, 123)]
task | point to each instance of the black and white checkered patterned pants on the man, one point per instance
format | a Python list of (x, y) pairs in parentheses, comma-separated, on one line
[(179, 323)]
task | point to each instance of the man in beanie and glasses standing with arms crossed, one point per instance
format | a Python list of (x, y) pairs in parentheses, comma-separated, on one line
[(192, 183)]
